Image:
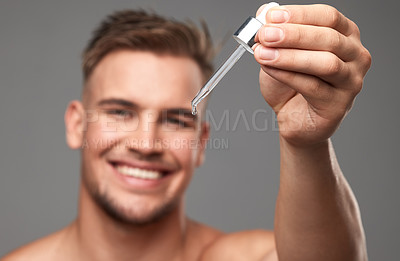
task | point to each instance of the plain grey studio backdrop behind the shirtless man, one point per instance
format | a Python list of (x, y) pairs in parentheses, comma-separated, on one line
[(40, 46)]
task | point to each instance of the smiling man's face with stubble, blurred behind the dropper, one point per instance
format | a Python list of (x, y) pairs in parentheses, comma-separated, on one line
[(140, 143)]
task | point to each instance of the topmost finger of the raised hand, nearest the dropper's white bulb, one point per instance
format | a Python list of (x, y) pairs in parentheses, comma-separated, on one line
[(318, 15)]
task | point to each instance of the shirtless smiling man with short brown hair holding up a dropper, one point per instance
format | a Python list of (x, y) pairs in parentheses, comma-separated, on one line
[(135, 132)]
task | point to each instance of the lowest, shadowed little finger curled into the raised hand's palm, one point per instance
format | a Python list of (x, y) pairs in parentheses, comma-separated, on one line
[(315, 91)]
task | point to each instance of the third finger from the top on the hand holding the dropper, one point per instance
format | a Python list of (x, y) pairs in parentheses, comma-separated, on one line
[(324, 65)]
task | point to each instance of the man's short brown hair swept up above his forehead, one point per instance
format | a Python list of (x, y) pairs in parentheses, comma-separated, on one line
[(143, 31)]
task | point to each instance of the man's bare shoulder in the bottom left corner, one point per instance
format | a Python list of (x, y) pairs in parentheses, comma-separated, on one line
[(42, 249)]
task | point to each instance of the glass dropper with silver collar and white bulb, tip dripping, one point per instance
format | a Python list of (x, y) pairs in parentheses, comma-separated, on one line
[(245, 37)]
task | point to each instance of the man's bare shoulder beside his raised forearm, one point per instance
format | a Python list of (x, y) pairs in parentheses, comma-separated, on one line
[(243, 245)]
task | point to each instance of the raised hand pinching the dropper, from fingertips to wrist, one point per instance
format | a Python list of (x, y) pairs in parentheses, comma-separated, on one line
[(312, 67)]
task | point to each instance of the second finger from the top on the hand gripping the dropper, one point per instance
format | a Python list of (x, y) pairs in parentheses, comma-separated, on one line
[(308, 37)]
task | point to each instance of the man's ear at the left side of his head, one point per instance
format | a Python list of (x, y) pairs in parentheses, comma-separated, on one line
[(74, 124)]
